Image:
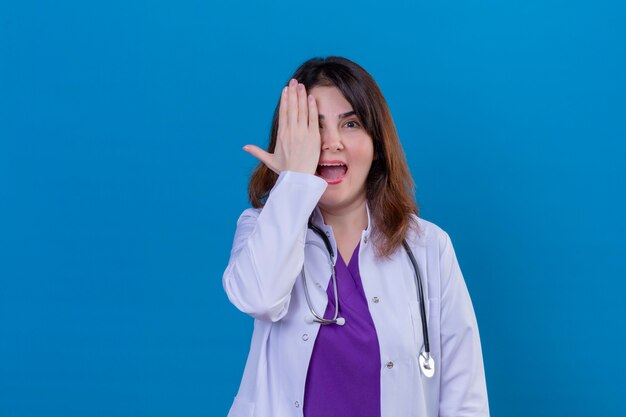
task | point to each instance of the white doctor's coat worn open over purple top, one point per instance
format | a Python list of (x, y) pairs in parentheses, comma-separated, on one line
[(264, 279)]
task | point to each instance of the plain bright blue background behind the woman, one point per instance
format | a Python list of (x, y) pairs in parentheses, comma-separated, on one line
[(122, 177)]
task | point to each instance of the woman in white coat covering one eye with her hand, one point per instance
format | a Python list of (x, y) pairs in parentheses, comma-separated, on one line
[(333, 203)]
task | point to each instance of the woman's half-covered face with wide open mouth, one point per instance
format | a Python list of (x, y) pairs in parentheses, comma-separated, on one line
[(347, 151)]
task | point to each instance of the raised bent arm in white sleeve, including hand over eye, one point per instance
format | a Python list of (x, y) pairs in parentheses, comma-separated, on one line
[(268, 251)]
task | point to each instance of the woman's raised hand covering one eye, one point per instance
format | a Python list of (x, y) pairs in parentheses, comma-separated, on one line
[(298, 140)]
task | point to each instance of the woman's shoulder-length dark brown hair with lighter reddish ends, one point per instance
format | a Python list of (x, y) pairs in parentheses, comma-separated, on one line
[(389, 185)]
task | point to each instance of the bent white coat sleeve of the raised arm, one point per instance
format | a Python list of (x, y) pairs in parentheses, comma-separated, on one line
[(268, 249)]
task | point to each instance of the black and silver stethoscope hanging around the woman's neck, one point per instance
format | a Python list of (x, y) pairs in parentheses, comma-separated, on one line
[(426, 362)]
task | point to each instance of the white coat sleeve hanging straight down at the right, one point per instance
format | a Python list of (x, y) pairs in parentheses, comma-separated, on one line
[(463, 386)]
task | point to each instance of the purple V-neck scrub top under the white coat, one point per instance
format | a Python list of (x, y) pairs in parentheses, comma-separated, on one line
[(344, 372)]
